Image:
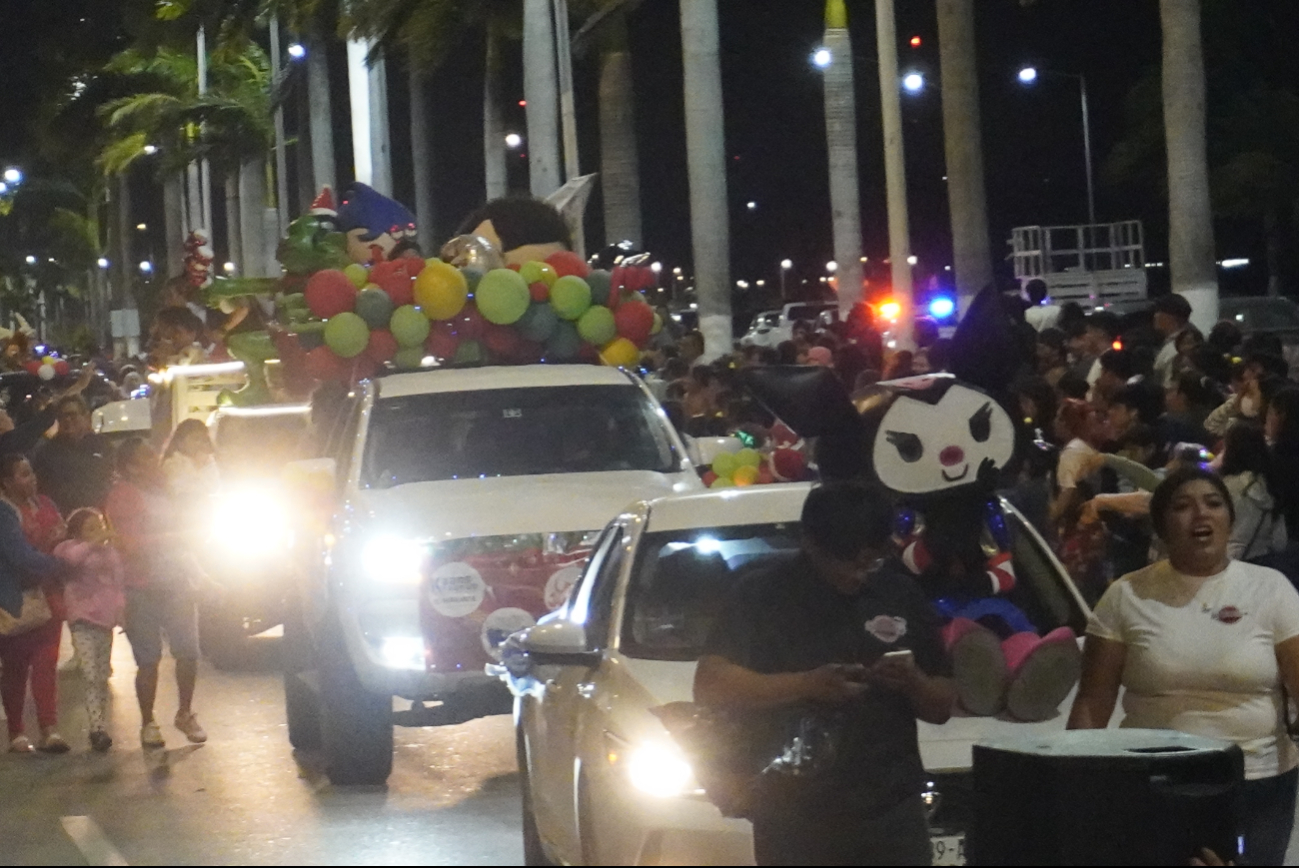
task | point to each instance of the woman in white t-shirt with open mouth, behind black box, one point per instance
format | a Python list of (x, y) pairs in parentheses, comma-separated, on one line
[(1204, 645)]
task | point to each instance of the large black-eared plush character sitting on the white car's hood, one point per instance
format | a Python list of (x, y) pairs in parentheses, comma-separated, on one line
[(941, 444)]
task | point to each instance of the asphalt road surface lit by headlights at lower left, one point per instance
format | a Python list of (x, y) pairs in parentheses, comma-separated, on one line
[(246, 797)]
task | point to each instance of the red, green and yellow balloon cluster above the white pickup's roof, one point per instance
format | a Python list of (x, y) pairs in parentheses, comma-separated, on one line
[(351, 322)]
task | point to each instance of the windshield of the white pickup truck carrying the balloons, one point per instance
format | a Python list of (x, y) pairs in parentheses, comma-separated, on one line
[(515, 432)]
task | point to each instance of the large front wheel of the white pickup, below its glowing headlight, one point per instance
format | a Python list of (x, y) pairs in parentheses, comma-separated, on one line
[(357, 726)]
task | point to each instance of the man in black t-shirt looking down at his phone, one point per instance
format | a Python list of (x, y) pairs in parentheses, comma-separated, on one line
[(840, 635)]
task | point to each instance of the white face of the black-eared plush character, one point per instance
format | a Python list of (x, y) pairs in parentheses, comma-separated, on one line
[(927, 446)]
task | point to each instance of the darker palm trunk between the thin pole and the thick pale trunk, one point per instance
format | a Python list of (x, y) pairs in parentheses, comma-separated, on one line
[(620, 159)]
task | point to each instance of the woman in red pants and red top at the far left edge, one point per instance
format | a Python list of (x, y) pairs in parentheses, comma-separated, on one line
[(33, 656)]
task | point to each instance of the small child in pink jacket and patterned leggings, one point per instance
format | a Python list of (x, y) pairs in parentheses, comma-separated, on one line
[(95, 597)]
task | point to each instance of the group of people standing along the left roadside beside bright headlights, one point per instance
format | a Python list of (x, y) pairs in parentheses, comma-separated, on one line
[(92, 537)]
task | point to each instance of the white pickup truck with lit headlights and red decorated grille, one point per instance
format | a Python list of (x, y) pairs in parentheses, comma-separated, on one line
[(462, 506)]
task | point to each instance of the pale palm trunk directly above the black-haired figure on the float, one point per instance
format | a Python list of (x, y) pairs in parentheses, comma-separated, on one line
[(541, 90)]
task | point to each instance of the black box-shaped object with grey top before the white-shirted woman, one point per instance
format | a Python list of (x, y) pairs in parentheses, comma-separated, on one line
[(1105, 797)]
